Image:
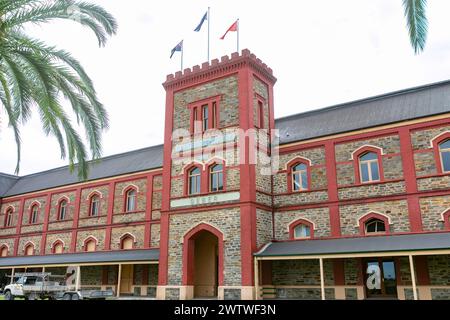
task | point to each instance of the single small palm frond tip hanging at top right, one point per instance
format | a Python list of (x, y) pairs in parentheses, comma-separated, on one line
[(417, 23)]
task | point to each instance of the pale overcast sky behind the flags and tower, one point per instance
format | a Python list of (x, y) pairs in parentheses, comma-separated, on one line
[(323, 52)]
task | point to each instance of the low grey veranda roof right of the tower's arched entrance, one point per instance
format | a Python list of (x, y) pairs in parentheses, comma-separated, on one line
[(410, 242)]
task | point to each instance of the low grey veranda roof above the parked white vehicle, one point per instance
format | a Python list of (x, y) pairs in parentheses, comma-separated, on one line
[(80, 258)]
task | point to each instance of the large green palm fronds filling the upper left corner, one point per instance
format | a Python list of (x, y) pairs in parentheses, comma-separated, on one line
[(34, 75)]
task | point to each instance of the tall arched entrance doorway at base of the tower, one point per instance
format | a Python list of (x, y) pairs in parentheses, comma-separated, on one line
[(203, 262)]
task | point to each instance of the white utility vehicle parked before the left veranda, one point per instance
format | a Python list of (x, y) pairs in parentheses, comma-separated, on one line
[(32, 286)]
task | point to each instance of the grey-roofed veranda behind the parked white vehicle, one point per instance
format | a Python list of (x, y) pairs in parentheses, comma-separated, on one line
[(131, 273)]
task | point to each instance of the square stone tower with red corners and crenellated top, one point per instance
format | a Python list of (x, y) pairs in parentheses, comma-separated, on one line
[(218, 211)]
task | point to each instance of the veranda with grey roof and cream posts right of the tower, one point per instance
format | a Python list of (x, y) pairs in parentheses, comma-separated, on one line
[(383, 267)]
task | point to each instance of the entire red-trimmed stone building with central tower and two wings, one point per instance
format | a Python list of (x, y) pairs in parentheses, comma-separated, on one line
[(346, 202)]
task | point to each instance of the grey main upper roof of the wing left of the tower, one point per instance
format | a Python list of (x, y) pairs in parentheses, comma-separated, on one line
[(129, 162)]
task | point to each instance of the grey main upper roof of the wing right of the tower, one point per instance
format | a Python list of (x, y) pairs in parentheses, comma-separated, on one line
[(388, 108)]
